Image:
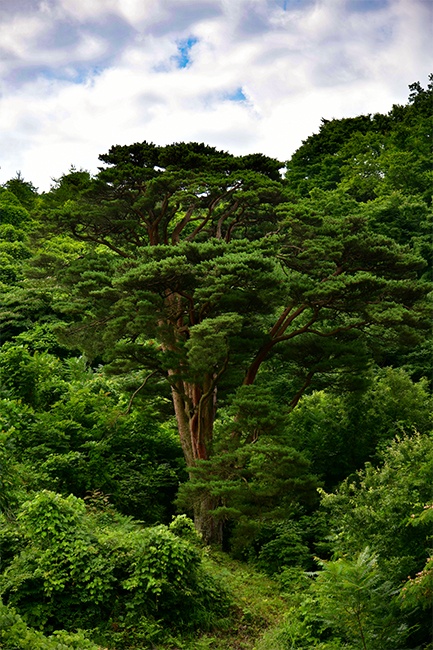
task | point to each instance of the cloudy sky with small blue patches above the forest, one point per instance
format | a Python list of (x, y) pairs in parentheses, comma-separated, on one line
[(245, 76)]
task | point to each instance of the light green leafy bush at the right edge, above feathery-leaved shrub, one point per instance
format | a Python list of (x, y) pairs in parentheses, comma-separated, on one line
[(388, 509)]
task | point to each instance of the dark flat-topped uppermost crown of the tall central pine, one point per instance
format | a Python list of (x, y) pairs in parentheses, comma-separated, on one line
[(161, 195)]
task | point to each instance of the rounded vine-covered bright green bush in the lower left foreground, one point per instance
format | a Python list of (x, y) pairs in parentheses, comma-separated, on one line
[(79, 568)]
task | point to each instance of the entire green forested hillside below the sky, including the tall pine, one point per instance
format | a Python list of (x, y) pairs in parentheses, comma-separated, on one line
[(216, 396)]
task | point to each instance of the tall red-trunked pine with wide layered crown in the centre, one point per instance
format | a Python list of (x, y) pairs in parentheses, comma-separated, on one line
[(197, 266)]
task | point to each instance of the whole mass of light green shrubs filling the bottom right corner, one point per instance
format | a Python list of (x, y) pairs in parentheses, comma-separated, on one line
[(382, 525)]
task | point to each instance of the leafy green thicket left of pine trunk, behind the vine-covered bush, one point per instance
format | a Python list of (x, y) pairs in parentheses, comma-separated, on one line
[(80, 439)]
